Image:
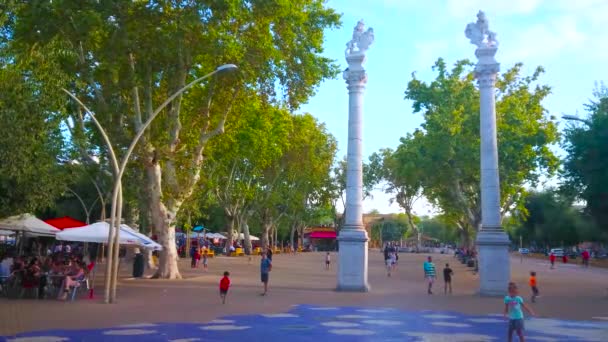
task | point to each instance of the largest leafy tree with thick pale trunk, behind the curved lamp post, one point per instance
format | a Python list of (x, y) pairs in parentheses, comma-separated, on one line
[(123, 58)]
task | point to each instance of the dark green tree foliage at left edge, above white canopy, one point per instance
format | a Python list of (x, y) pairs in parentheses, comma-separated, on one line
[(31, 146)]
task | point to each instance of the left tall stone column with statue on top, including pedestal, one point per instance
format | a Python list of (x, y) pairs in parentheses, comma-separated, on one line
[(352, 268)]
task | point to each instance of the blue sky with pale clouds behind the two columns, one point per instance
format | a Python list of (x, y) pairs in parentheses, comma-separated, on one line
[(567, 37)]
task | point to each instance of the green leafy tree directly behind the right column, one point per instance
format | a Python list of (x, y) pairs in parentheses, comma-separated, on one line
[(448, 143)]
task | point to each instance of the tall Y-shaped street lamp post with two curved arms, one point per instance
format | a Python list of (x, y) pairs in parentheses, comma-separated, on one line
[(116, 211)]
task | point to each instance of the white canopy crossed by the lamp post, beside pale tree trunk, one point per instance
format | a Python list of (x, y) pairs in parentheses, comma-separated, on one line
[(98, 233)]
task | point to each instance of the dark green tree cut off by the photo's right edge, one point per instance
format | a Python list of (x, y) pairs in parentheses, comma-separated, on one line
[(585, 168)]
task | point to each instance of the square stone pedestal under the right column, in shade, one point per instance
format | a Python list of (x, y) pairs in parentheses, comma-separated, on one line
[(493, 261)]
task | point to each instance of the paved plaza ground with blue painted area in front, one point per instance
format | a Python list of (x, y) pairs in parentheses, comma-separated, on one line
[(302, 305)]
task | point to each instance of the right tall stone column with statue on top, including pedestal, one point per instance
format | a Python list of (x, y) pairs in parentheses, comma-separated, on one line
[(492, 241)]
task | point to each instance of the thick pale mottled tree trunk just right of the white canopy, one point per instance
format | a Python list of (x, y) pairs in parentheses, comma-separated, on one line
[(163, 221)]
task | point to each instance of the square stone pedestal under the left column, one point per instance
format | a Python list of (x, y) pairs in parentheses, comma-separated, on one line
[(352, 256)]
